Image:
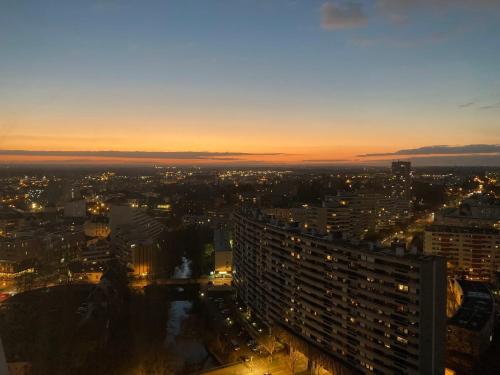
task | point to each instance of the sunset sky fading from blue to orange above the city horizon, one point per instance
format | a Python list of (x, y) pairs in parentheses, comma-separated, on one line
[(250, 81)]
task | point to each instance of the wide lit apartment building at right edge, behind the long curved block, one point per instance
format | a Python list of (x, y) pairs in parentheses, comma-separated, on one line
[(473, 252)]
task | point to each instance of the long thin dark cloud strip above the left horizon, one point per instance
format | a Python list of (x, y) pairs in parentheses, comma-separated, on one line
[(177, 155)]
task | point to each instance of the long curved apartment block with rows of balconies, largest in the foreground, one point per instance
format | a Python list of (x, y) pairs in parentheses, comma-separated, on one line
[(376, 311)]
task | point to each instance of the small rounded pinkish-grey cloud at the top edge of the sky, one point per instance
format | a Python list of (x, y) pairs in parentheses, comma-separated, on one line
[(348, 14)]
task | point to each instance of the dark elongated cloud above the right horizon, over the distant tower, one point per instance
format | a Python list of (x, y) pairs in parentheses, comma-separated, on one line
[(443, 150)]
